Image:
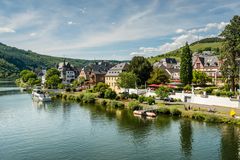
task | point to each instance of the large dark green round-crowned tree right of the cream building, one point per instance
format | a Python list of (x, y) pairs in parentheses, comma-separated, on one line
[(141, 67)]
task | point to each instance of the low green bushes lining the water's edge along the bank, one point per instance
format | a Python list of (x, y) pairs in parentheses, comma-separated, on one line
[(93, 98)]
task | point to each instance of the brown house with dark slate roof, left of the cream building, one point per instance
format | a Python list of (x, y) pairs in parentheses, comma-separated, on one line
[(95, 72)]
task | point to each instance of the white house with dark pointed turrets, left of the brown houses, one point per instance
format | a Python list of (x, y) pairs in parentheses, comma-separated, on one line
[(67, 71)]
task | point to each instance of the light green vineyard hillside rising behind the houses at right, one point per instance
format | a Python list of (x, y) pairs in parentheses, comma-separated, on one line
[(213, 44)]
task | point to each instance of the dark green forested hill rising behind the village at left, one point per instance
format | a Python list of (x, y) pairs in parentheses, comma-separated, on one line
[(13, 60)]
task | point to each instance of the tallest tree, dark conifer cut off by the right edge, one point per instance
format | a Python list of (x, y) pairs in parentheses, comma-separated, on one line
[(231, 51)]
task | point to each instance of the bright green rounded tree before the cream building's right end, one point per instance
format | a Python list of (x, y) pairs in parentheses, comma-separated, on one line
[(127, 80)]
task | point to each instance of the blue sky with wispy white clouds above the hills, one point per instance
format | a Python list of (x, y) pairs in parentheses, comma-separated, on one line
[(111, 29)]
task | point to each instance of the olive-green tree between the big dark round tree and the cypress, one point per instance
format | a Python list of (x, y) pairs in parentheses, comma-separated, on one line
[(158, 76)]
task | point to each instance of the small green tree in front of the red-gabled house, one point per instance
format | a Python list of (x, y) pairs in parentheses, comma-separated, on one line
[(200, 78)]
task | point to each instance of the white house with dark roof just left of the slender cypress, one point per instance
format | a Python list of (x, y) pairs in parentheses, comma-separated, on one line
[(170, 66)]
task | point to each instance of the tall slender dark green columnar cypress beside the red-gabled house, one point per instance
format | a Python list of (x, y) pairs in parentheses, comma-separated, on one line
[(186, 65)]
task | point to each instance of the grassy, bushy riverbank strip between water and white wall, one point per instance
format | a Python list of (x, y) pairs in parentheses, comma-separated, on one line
[(171, 109)]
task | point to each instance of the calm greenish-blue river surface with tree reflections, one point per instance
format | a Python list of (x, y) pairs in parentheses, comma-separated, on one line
[(60, 130)]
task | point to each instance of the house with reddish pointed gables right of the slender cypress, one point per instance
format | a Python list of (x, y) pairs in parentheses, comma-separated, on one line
[(207, 63)]
